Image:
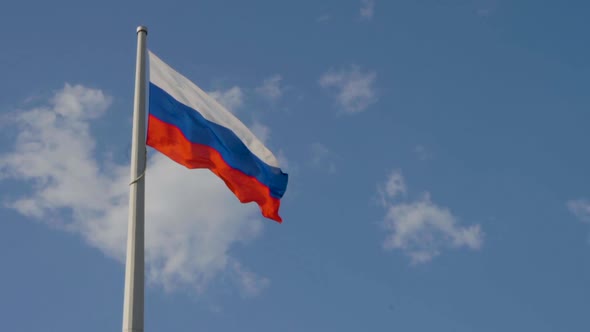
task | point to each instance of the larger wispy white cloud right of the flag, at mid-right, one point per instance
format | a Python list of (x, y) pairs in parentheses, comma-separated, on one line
[(422, 229)]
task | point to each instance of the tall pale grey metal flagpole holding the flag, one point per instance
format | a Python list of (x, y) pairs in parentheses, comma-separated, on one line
[(134, 268)]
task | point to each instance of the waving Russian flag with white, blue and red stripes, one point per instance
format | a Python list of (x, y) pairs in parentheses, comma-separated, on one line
[(193, 129)]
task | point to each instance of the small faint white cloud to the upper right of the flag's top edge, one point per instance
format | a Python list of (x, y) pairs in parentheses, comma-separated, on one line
[(355, 91)]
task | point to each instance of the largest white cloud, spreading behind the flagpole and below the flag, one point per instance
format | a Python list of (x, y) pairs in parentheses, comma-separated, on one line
[(192, 219)]
